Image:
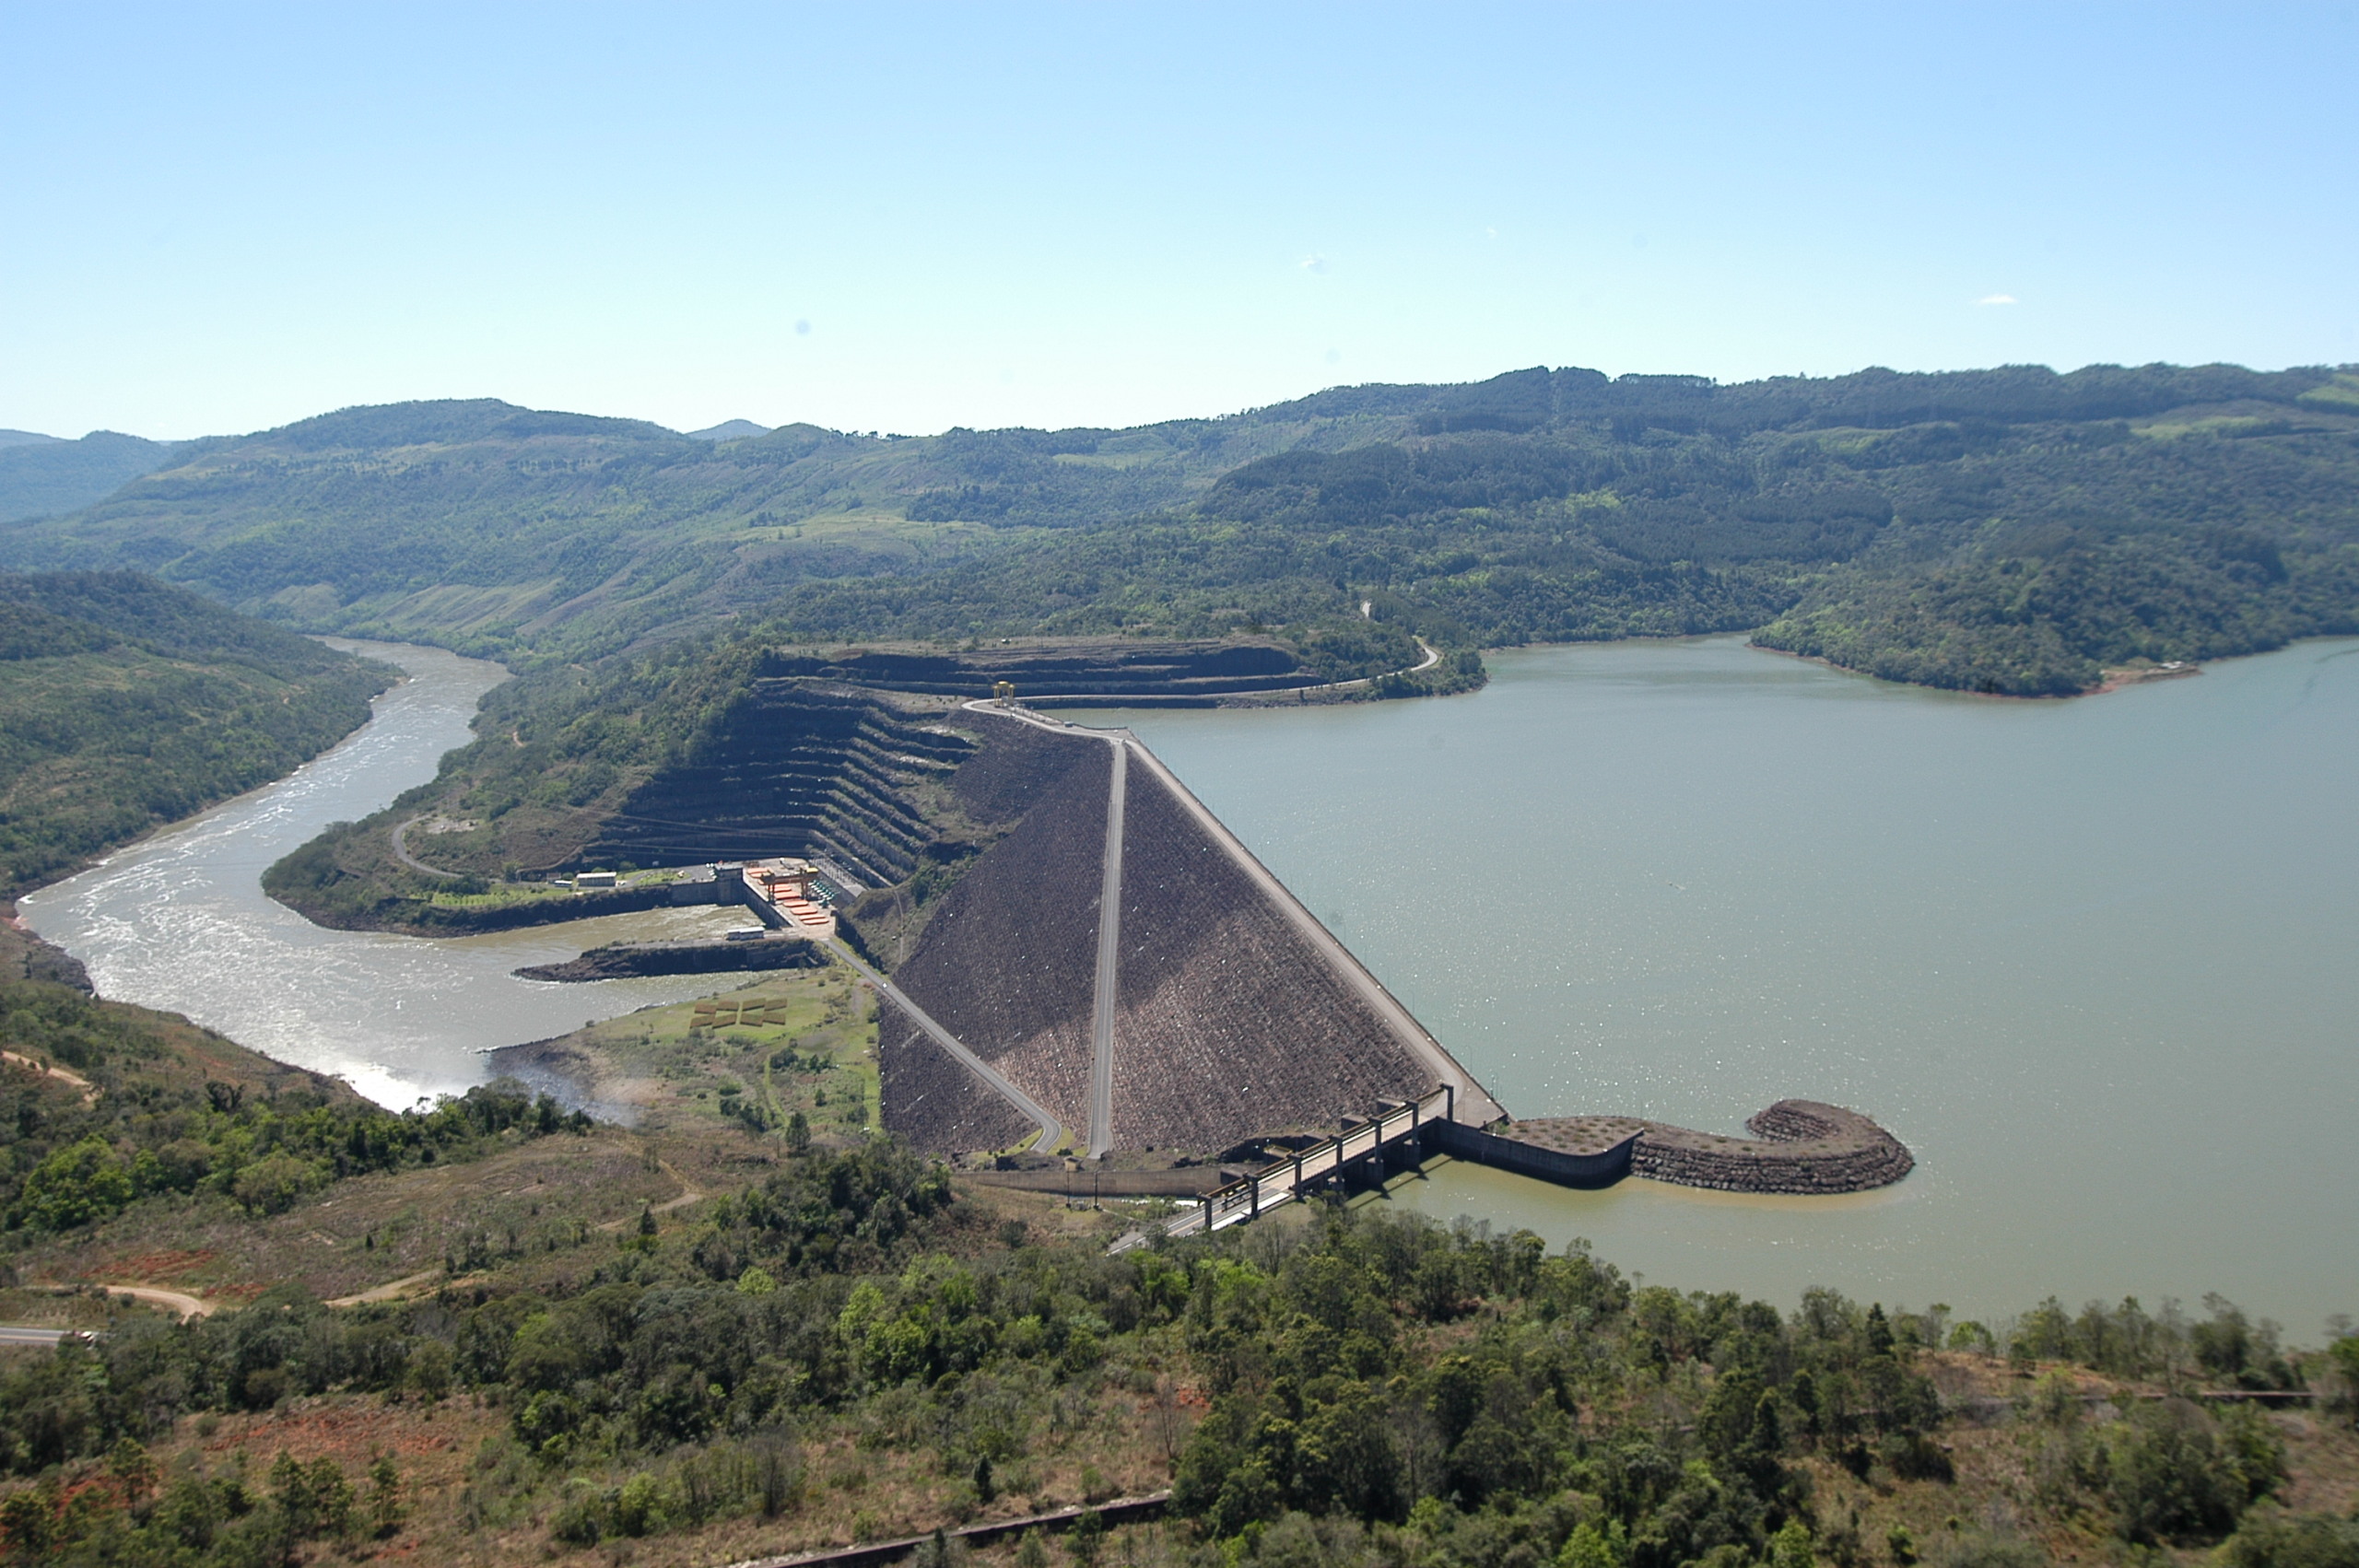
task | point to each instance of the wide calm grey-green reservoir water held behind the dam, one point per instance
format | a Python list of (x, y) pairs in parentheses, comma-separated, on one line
[(2091, 961)]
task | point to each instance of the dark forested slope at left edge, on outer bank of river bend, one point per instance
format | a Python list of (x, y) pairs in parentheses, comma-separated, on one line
[(129, 704)]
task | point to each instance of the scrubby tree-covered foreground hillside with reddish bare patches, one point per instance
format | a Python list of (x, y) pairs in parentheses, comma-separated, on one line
[(848, 1345)]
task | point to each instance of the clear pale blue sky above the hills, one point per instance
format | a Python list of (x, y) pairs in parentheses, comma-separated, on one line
[(1058, 216)]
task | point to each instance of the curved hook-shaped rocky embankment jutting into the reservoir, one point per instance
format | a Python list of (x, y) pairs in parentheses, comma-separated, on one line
[(1799, 1147)]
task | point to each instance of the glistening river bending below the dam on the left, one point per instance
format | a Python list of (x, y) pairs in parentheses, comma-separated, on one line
[(178, 921)]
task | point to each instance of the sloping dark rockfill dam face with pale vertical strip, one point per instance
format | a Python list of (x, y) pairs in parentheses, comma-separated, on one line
[(1233, 1013)]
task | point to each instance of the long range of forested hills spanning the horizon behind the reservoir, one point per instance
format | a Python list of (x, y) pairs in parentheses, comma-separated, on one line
[(1997, 529)]
